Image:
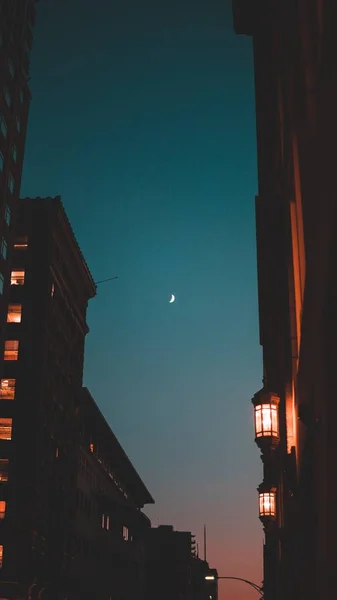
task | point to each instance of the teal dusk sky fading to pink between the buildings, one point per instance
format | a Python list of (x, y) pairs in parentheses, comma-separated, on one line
[(142, 119)]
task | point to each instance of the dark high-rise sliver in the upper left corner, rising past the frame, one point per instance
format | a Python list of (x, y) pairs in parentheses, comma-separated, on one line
[(16, 36)]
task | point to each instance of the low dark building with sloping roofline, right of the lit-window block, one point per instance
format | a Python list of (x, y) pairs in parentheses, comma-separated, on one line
[(110, 528)]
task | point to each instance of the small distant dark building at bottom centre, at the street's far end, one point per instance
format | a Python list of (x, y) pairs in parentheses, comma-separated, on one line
[(173, 570)]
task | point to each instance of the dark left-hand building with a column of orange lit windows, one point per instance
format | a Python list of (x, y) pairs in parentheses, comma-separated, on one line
[(43, 366)]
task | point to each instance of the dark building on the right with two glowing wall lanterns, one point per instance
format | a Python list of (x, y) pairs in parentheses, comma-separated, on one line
[(295, 61)]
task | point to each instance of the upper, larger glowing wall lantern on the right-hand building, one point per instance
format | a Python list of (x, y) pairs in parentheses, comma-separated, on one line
[(266, 418)]
